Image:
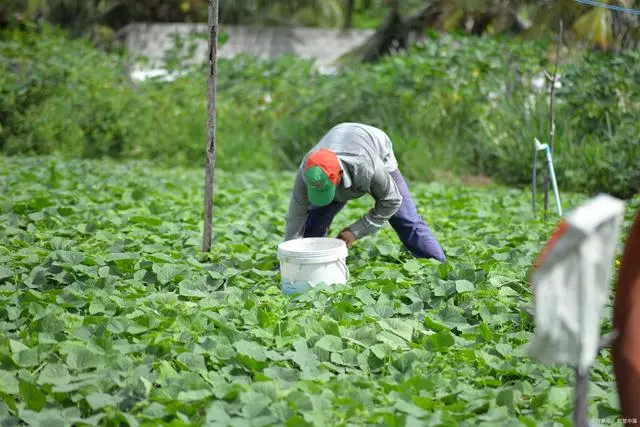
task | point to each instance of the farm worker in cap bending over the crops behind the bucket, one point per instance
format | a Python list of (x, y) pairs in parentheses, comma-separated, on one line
[(351, 160)]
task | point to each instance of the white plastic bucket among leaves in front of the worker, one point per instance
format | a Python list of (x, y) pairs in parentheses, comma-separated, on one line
[(305, 263)]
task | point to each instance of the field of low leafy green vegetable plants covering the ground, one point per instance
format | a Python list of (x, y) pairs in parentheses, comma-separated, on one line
[(111, 315)]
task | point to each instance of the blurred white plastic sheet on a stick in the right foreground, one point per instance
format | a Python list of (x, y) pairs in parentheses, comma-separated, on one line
[(571, 283)]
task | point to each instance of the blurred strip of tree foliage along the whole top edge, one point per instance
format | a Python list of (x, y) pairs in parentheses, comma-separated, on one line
[(398, 20)]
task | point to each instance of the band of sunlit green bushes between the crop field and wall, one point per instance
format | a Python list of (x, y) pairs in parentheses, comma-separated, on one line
[(454, 103)]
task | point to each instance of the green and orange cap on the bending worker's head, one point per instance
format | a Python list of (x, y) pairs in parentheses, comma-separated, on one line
[(322, 174)]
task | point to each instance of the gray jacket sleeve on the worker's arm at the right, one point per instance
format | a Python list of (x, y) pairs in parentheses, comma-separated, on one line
[(387, 202)]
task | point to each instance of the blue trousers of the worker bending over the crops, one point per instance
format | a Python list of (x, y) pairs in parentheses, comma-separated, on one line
[(411, 229)]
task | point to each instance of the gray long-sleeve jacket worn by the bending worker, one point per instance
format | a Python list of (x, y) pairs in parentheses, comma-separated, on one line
[(367, 158)]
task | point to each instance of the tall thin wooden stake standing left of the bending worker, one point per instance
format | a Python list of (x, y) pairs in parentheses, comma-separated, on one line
[(211, 126)]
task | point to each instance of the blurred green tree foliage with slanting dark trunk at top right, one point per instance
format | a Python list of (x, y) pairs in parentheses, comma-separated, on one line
[(598, 27)]
